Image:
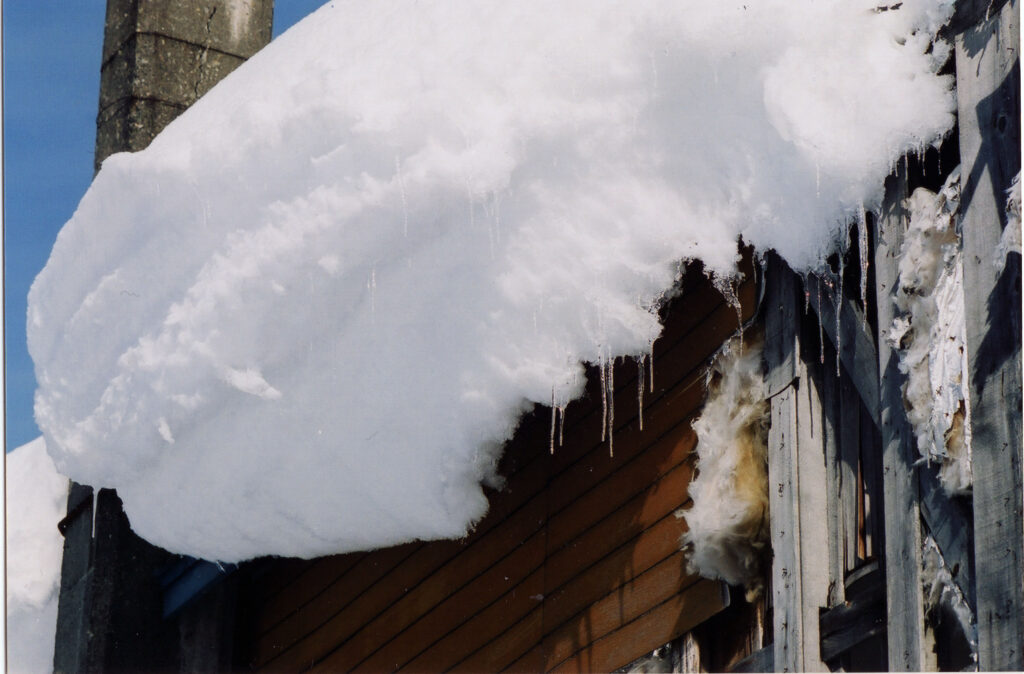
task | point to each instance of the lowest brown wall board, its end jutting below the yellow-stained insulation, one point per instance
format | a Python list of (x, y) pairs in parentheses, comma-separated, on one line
[(668, 621)]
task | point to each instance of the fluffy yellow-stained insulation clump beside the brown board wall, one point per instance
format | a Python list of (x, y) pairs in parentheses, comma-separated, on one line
[(729, 522)]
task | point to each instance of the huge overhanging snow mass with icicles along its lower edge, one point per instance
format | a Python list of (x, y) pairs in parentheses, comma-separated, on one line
[(308, 317)]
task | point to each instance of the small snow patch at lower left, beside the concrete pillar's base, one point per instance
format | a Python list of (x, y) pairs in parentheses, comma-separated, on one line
[(37, 496)]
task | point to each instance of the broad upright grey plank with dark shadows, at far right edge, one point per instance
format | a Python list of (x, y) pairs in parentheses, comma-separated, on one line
[(989, 98)]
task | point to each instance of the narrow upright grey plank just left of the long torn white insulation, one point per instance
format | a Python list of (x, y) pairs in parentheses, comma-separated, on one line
[(903, 544)]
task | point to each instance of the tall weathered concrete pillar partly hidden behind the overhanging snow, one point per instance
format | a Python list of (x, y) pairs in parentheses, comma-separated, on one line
[(159, 58)]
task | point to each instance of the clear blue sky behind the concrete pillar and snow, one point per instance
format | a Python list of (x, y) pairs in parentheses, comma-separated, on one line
[(52, 88)]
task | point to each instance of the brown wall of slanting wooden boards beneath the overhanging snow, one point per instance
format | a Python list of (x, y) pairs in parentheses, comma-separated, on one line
[(576, 568)]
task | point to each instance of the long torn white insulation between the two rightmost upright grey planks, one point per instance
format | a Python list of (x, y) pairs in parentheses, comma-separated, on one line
[(931, 335)]
